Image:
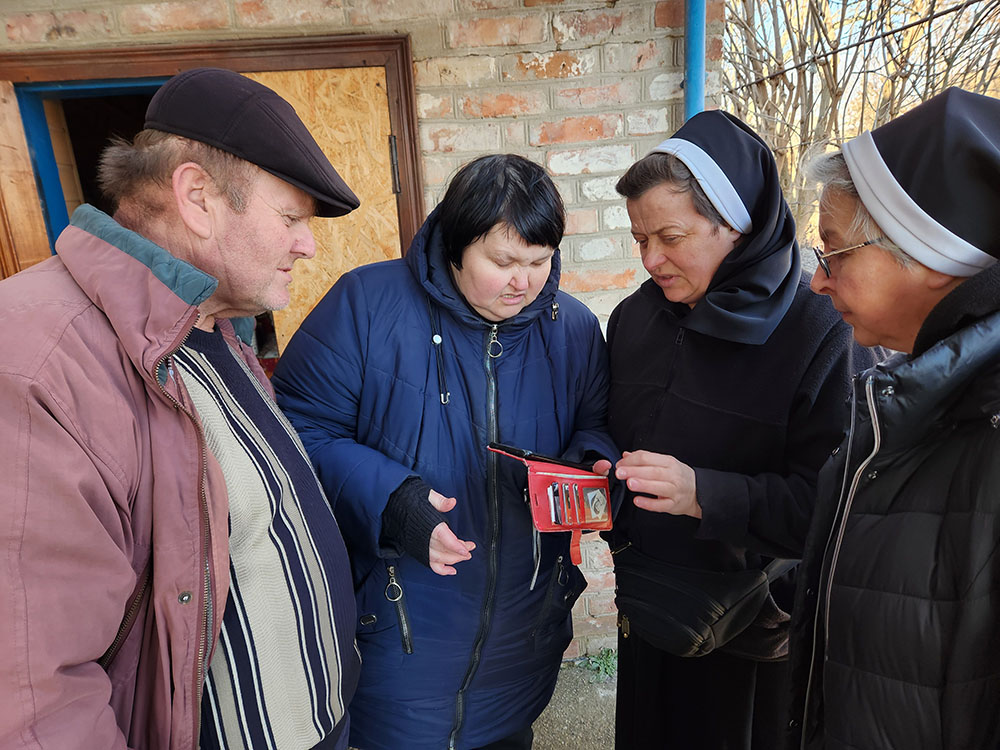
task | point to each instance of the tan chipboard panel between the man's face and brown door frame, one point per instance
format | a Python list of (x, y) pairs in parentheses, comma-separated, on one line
[(347, 111)]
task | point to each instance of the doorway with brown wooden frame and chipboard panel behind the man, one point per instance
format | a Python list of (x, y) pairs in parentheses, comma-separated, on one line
[(355, 93)]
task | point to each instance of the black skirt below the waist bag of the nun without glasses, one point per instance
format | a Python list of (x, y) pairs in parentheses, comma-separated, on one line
[(713, 702)]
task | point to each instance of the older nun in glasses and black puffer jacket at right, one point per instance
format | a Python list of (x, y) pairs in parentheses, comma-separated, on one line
[(895, 642)]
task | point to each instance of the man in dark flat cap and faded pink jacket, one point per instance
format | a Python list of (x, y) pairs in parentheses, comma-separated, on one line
[(171, 574)]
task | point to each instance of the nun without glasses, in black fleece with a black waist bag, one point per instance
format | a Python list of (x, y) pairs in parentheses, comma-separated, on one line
[(728, 387)]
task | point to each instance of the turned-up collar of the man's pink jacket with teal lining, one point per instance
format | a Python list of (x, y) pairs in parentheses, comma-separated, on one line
[(150, 297)]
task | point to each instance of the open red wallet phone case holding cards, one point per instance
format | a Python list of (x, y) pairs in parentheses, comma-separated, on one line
[(562, 495)]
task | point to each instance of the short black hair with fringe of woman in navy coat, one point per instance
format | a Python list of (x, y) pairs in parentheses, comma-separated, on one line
[(500, 189)]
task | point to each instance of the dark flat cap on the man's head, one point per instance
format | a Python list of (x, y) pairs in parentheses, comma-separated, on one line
[(235, 114)]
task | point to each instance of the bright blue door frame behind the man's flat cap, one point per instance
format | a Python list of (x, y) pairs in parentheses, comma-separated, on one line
[(30, 99)]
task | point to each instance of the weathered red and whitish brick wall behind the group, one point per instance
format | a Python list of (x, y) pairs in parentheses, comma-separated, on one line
[(584, 88)]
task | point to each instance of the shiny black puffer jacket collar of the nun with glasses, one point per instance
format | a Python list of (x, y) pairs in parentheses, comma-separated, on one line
[(941, 386)]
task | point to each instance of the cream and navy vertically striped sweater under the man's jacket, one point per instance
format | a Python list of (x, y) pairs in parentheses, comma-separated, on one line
[(285, 665)]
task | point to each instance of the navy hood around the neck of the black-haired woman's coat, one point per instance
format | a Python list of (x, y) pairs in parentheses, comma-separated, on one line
[(426, 261)]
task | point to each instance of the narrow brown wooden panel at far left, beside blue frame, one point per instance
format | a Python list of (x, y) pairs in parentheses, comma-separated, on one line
[(23, 238)]
